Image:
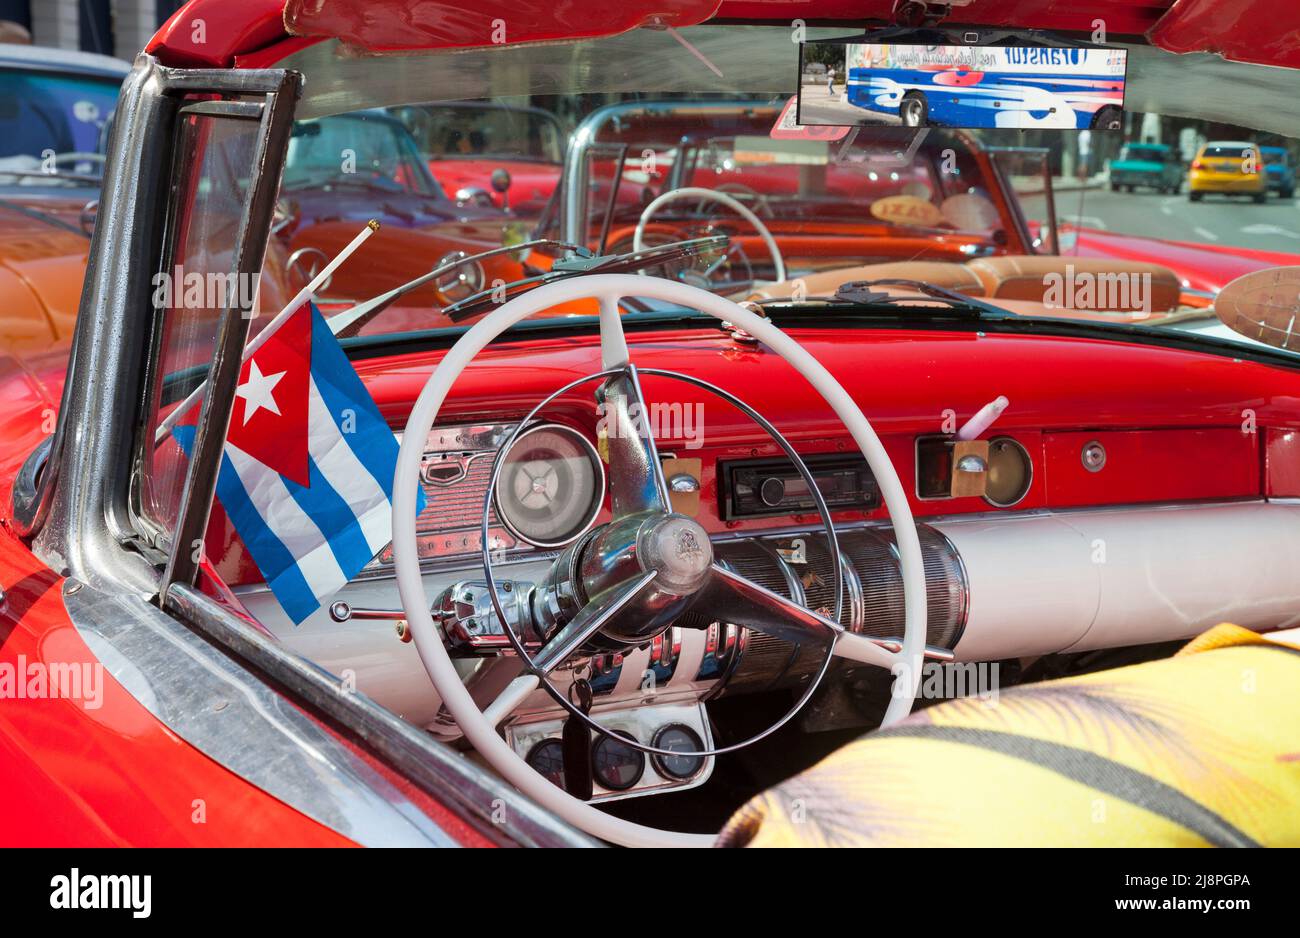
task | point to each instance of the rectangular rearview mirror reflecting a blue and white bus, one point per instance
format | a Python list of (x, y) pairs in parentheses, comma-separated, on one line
[(928, 79)]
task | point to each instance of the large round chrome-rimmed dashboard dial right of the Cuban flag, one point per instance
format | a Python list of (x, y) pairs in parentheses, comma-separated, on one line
[(552, 485)]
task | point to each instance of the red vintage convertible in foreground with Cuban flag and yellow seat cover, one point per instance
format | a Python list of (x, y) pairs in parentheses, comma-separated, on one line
[(986, 548)]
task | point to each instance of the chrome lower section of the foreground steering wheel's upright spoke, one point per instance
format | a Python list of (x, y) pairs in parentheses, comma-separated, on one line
[(636, 475)]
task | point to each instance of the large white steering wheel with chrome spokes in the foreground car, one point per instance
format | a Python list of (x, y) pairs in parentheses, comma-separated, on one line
[(636, 476)]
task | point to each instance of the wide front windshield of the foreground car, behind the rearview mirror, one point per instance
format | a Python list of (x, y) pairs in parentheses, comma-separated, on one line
[(643, 141)]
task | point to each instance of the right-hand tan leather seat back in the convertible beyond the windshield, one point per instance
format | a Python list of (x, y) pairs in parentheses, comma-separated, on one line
[(1120, 285)]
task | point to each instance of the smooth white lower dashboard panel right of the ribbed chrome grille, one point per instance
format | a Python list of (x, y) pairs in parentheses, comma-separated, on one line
[(1100, 579)]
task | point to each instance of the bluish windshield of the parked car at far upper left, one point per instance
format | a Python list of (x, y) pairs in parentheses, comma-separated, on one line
[(53, 128)]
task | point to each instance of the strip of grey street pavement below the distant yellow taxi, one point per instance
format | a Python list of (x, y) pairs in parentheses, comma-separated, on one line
[(1219, 220)]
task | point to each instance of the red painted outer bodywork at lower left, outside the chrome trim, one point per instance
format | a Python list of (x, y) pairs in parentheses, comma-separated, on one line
[(111, 775)]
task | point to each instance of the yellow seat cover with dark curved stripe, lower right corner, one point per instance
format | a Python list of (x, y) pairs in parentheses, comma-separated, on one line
[(1202, 749)]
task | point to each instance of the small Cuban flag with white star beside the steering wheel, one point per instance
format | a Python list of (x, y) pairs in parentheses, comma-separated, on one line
[(307, 472)]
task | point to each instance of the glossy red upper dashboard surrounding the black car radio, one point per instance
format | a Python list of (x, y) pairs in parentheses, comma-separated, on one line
[(1175, 425)]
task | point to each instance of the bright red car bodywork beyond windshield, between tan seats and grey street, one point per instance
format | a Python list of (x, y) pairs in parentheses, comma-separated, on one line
[(1199, 267)]
